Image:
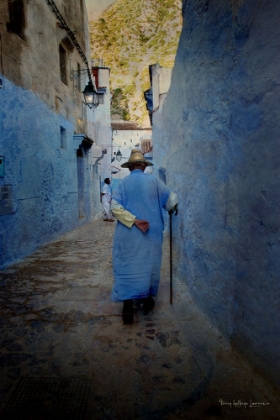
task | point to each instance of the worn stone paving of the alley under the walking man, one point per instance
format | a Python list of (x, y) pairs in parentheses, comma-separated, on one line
[(57, 321)]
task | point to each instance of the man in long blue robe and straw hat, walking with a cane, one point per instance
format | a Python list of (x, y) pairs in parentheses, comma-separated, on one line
[(138, 205)]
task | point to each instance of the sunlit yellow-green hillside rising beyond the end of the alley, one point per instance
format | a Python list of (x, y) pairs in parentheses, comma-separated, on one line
[(128, 37)]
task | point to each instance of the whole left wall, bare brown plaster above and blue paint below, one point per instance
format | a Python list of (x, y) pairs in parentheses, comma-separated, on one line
[(52, 189)]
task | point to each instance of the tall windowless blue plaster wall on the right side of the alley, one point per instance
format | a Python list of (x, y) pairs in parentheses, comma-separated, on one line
[(216, 142)]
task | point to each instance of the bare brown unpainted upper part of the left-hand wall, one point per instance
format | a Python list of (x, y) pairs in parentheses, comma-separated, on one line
[(33, 61)]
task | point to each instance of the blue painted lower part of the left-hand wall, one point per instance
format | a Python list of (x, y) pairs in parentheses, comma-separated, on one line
[(42, 174)]
